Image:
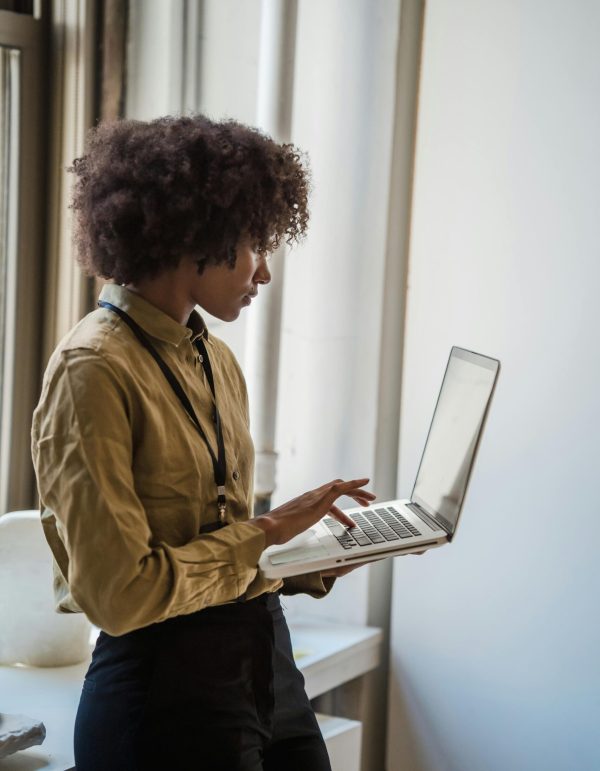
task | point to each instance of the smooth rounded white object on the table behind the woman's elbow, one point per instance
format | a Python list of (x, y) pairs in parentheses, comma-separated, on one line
[(31, 632)]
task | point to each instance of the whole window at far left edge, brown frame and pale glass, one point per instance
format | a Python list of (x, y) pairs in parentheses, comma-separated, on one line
[(21, 227)]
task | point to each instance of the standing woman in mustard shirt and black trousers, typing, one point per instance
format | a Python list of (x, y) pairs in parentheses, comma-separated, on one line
[(144, 458)]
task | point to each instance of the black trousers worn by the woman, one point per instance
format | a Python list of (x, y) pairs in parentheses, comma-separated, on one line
[(216, 690)]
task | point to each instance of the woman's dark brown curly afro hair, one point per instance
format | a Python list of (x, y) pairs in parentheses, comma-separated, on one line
[(146, 193)]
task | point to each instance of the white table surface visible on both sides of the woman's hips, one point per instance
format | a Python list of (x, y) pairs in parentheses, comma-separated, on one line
[(327, 654)]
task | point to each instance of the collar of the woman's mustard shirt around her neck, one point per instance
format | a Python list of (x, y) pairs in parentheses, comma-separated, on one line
[(153, 321)]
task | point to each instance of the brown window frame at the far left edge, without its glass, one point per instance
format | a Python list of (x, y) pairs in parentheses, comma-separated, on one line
[(23, 325)]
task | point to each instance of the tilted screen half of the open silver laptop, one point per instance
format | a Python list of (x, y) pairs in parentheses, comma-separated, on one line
[(454, 435)]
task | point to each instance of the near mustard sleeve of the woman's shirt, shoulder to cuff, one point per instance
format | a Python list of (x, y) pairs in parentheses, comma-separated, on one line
[(117, 574)]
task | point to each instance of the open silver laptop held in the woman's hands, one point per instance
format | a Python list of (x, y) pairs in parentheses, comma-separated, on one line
[(427, 519)]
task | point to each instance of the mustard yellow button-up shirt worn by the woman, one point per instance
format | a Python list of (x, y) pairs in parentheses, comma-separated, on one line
[(126, 482)]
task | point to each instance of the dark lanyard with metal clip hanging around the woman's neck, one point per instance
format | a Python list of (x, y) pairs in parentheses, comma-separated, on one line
[(218, 461)]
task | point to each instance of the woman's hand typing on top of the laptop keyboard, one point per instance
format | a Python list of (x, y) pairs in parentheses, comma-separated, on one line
[(300, 513)]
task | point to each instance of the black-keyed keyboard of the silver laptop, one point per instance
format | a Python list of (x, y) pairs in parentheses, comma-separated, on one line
[(373, 526)]
